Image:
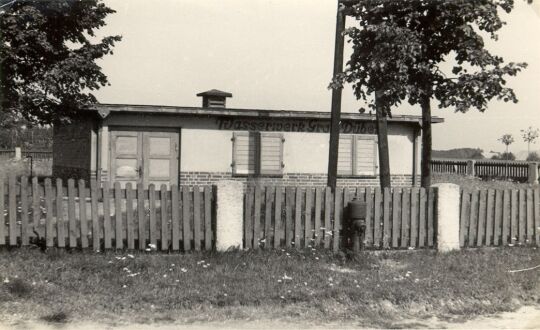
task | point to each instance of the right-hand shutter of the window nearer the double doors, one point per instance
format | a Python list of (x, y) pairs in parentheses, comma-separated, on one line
[(271, 153)]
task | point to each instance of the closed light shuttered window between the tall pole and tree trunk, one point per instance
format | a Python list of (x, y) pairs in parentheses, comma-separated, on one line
[(357, 155)]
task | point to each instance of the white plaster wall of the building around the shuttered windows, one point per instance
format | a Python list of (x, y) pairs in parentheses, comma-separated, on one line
[(205, 148)]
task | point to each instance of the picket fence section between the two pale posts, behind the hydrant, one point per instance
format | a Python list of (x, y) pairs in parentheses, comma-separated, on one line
[(277, 217)]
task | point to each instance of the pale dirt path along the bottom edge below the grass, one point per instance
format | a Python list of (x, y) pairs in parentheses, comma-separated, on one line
[(525, 318)]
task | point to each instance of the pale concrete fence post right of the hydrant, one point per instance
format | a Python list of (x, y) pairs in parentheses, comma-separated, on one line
[(447, 217)]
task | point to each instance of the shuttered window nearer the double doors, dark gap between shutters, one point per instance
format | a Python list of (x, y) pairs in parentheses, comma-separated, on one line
[(257, 153)]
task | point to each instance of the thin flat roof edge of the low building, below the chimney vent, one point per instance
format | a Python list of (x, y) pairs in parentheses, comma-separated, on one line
[(105, 109)]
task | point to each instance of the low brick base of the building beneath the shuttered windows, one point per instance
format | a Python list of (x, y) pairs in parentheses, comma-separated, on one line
[(290, 179)]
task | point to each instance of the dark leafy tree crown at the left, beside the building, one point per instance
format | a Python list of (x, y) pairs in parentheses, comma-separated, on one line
[(48, 53)]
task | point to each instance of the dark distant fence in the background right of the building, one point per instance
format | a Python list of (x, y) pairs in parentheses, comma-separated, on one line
[(488, 169)]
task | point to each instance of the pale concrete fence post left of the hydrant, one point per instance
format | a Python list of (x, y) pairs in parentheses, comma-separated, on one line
[(230, 215)]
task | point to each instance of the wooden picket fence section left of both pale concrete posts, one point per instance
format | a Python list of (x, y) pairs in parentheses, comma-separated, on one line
[(101, 217)]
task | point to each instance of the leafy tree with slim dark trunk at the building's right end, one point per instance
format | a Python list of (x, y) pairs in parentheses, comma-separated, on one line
[(399, 46)]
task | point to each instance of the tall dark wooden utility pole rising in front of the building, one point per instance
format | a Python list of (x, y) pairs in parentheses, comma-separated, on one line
[(335, 116)]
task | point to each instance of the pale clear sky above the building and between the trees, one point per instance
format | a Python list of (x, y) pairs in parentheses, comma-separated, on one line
[(278, 54)]
